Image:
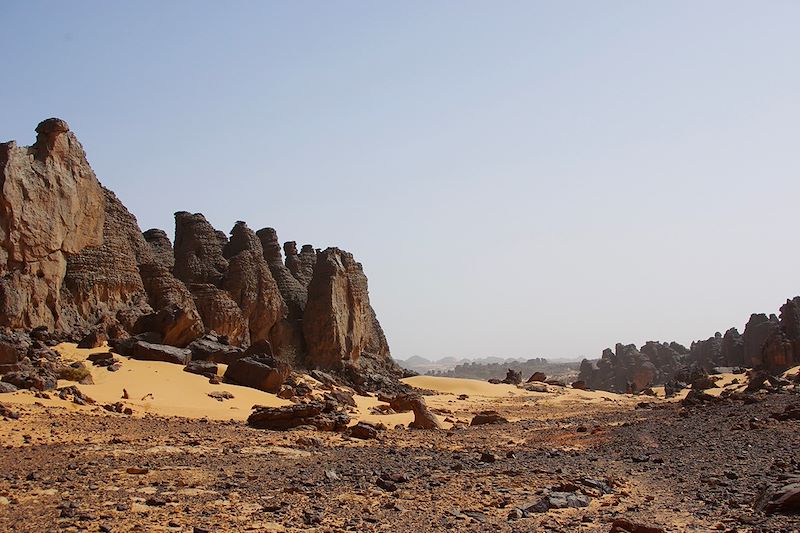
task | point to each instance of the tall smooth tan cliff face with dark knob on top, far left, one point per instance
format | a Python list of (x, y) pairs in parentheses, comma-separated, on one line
[(51, 207)]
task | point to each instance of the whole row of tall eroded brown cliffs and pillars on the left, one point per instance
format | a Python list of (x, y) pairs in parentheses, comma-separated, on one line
[(74, 260)]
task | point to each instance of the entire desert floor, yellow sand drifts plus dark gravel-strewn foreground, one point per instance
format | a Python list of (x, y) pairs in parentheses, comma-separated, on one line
[(187, 462)]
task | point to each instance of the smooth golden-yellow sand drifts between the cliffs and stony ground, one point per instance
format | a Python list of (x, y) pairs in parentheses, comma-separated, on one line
[(164, 389)]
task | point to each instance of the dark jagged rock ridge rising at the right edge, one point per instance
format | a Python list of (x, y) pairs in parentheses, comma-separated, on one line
[(769, 343)]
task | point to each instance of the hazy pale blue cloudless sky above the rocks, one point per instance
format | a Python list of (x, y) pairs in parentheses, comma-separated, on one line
[(519, 179)]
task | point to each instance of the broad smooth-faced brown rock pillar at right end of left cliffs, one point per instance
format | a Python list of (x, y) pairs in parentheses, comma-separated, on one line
[(339, 323)]
